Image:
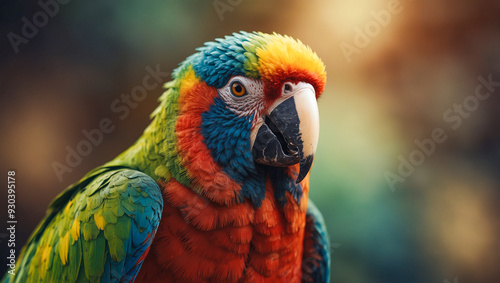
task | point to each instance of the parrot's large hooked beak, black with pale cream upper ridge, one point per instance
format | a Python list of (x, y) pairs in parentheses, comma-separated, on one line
[(289, 131)]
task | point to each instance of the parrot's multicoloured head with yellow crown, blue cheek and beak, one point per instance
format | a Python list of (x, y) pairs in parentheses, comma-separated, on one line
[(246, 104)]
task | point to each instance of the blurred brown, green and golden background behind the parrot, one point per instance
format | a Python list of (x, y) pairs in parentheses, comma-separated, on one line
[(397, 71)]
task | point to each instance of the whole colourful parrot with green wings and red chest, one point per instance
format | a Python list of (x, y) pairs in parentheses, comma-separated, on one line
[(214, 190)]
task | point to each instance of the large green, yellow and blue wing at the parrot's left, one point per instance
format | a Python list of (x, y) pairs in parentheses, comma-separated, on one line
[(102, 232)]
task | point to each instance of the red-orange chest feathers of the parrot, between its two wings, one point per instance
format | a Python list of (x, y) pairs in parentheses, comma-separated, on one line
[(203, 241)]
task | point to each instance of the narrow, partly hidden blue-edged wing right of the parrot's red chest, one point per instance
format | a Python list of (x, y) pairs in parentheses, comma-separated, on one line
[(316, 258)]
